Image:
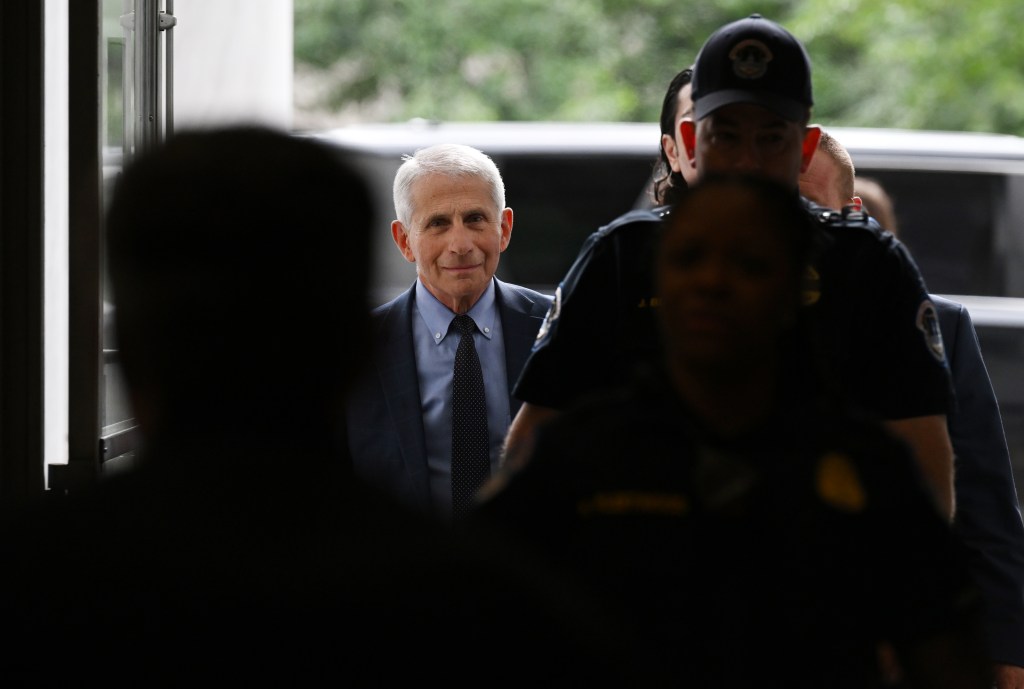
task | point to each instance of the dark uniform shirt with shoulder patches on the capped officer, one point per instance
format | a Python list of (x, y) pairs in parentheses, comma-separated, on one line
[(870, 308)]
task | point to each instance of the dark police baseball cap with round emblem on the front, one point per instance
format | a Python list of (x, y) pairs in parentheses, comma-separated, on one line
[(753, 61)]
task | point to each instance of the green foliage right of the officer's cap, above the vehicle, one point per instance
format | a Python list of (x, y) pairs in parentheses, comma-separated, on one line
[(918, 65)]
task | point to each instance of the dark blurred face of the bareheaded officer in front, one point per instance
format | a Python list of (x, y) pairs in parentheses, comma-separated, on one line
[(726, 283)]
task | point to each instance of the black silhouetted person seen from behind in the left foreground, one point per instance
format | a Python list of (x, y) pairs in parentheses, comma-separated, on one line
[(241, 551)]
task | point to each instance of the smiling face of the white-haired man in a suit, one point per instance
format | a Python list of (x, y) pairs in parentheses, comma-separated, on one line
[(456, 237)]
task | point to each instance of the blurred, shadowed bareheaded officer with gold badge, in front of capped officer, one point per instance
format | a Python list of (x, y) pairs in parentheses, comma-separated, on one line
[(755, 530)]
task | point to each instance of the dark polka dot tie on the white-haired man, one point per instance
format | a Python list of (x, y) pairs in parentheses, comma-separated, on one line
[(471, 443)]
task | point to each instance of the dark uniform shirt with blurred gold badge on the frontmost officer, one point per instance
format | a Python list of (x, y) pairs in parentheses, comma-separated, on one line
[(780, 559)]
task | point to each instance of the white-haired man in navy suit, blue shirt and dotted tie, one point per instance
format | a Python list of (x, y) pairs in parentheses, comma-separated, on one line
[(453, 224)]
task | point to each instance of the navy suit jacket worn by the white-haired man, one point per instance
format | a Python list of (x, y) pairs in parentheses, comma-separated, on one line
[(385, 419)]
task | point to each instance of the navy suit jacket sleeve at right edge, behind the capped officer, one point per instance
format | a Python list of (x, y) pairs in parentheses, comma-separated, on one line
[(989, 516)]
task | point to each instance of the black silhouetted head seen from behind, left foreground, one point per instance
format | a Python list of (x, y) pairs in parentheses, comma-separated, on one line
[(239, 261)]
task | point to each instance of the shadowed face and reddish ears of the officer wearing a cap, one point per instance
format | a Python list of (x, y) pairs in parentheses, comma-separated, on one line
[(752, 140)]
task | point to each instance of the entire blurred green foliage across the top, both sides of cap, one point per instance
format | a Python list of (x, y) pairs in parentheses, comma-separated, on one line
[(916, 64)]
